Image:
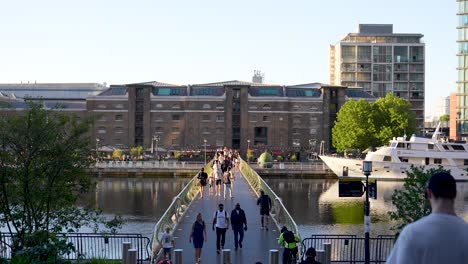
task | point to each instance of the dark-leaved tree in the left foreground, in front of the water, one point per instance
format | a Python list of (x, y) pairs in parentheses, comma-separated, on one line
[(44, 159)]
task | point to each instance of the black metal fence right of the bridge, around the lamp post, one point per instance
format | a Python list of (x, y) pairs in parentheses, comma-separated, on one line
[(350, 248)]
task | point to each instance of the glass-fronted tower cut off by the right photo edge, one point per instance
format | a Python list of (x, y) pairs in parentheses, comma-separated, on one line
[(461, 115)]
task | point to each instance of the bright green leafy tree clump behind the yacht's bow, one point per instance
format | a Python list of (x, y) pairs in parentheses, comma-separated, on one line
[(360, 124)]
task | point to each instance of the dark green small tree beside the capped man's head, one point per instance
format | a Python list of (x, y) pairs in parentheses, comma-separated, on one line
[(410, 202)]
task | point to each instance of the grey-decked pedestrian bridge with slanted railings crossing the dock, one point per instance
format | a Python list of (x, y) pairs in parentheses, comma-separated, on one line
[(182, 212)]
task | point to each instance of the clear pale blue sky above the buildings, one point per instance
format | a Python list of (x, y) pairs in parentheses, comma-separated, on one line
[(201, 41)]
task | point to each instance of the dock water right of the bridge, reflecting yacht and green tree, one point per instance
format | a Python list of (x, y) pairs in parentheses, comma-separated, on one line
[(317, 209)]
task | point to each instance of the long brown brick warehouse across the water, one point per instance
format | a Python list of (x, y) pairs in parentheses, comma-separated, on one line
[(229, 114)]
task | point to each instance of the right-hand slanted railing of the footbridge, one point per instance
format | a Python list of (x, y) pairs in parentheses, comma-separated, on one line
[(279, 213)]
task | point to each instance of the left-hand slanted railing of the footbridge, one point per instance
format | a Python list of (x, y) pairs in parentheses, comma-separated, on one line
[(175, 212)]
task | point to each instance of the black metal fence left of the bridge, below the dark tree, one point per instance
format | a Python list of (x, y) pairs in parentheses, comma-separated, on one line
[(92, 246)]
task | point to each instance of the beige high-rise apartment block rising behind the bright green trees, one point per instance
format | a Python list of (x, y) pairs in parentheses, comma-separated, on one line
[(382, 62)]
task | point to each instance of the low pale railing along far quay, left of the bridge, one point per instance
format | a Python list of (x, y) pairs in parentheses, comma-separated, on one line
[(148, 164)]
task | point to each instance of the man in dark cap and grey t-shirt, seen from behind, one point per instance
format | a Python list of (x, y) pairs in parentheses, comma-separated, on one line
[(441, 237)]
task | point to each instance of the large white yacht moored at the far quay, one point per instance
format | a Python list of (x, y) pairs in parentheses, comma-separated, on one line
[(391, 162)]
